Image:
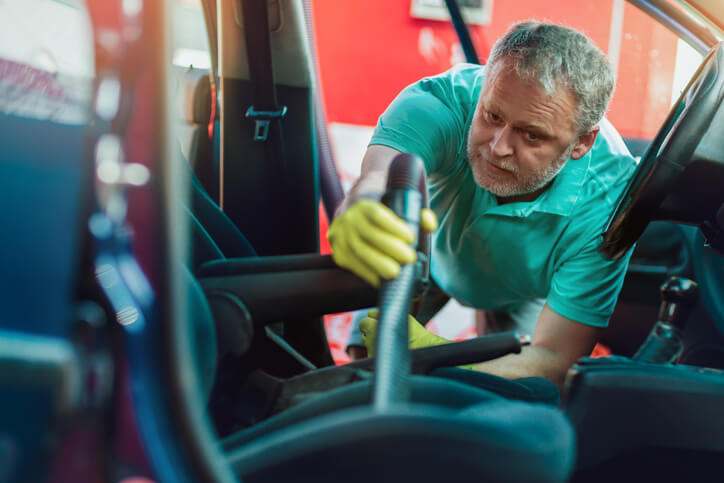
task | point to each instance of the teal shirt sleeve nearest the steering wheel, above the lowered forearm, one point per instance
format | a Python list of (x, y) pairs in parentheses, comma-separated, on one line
[(585, 287)]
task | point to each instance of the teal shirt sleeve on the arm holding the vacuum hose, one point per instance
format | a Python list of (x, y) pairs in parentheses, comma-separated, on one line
[(426, 119)]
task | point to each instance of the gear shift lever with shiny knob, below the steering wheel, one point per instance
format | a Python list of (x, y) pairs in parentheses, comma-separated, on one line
[(663, 345)]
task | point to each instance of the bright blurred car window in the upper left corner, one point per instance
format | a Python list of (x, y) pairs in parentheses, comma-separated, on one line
[(46, 60)]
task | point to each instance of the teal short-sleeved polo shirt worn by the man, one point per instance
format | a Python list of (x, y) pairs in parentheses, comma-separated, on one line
[(497, 257)]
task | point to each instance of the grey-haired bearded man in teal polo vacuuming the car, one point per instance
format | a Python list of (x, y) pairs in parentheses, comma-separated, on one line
[(523, 173)]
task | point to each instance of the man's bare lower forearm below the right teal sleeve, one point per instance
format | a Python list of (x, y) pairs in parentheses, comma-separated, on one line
[(558, 342)]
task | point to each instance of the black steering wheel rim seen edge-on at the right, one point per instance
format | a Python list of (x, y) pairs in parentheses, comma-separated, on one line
[(667, 156)]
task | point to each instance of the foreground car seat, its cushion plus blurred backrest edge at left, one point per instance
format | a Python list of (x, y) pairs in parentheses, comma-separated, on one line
[(452, 431)]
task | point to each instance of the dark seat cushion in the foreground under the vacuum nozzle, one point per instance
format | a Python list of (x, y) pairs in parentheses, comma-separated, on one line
[(495, 441)]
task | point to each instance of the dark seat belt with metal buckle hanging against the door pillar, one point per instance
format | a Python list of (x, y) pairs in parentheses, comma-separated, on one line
[(264, 109)]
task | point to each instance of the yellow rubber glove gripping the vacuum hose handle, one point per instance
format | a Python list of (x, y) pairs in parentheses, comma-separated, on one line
[(371, 241)]
